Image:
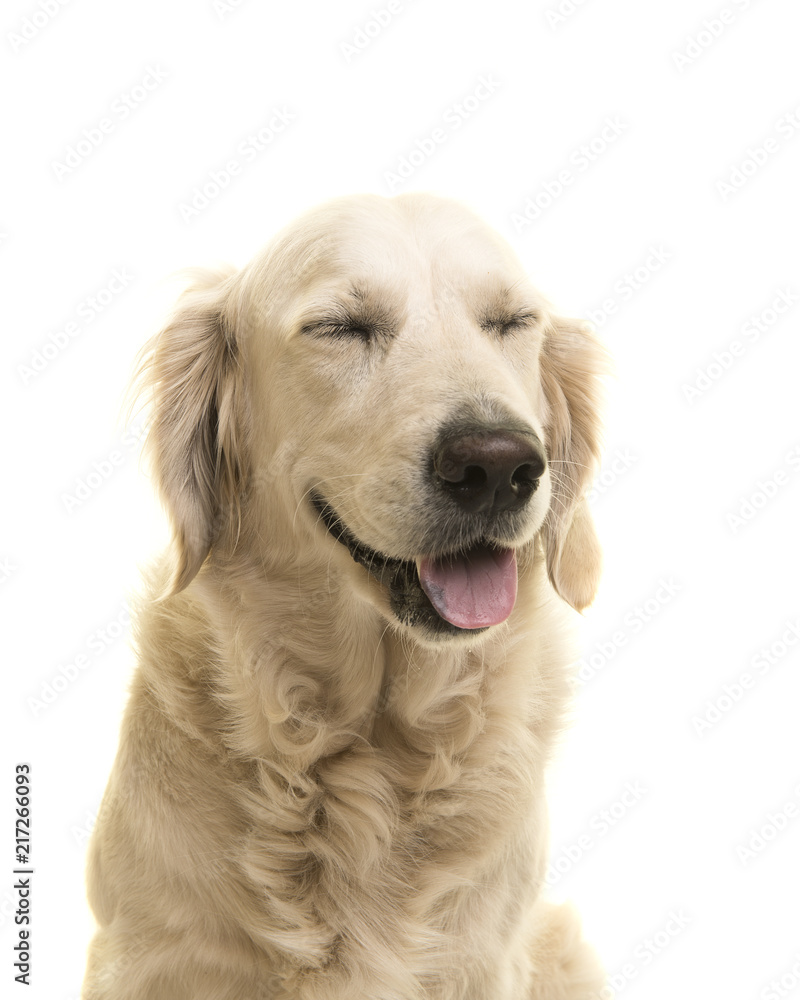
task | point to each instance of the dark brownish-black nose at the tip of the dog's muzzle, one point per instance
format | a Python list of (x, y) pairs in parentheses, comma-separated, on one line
[(489, 470)]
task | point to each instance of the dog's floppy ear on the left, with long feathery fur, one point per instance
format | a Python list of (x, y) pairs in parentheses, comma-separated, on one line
[(191, 372)]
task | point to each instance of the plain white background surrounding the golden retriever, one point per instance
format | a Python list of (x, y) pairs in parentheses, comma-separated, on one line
[(668, 897)]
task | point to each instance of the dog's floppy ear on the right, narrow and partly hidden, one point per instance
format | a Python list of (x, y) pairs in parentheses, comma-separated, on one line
[(572, 363)]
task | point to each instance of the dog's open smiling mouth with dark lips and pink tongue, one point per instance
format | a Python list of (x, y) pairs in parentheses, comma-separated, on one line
[(465, 591)]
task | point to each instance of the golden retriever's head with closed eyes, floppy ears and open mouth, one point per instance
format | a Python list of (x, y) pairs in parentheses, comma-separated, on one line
[(384, 386)]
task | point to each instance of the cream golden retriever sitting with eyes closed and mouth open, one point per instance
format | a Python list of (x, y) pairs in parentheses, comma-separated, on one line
[(374, 443)]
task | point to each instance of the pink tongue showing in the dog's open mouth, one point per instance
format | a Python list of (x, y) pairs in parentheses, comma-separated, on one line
[(472, 590)]
